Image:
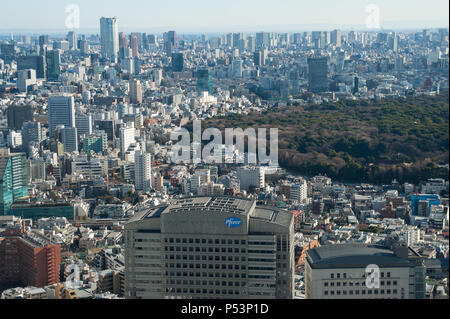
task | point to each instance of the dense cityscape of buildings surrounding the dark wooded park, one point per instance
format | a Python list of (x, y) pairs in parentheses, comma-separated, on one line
[(93, 206)]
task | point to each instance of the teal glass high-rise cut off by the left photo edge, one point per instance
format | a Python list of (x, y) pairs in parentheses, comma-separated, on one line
[(13, 178)]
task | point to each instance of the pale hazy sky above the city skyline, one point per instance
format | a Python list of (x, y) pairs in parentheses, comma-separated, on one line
[(213, 14)]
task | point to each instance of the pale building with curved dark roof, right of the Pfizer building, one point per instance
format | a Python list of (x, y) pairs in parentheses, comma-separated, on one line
[(339, 272)]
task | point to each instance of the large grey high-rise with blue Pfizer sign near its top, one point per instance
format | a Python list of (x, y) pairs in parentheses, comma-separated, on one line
[(210, 247)]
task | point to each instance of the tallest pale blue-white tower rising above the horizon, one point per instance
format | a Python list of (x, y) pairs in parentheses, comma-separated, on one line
[(109, 37)]
